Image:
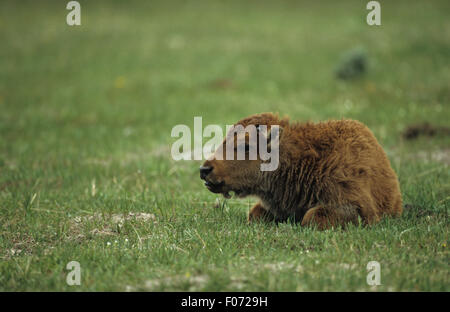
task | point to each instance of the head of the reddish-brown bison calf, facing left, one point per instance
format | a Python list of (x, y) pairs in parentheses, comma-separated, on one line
[(238, 163)]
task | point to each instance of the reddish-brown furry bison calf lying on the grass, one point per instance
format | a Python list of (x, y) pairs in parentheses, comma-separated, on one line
[(329, 174)]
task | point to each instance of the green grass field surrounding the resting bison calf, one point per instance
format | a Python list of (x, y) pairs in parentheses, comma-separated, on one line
[(86, 114)]
